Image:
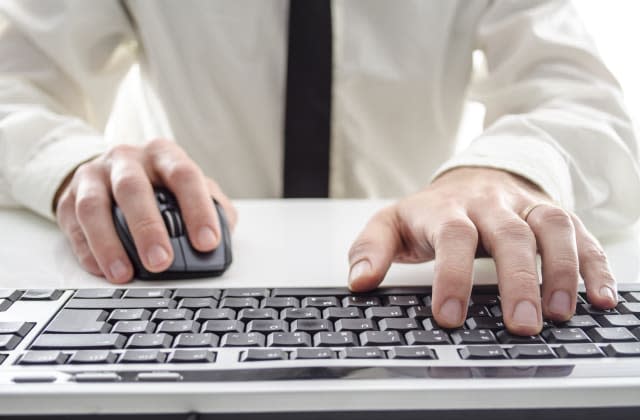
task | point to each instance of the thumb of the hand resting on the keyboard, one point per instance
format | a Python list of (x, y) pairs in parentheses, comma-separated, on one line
[(373, 251)]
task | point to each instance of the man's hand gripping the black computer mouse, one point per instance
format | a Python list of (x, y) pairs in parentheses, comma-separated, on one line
[(128, 174)]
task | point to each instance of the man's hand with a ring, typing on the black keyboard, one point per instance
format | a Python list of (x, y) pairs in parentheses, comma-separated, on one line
[(469, 211)]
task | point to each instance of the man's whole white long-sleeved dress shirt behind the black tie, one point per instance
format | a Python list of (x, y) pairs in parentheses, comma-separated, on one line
[(402, 73)]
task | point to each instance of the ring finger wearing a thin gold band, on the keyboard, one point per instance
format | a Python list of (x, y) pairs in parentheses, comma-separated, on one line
[(555, 236)]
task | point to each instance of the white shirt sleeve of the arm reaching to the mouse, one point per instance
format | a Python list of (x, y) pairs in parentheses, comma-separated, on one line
[(62, 62)]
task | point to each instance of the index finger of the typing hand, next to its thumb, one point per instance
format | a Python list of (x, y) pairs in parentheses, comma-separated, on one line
[(455, 241)]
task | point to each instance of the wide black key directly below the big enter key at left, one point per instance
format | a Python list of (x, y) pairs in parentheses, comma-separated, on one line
[(79, 341)]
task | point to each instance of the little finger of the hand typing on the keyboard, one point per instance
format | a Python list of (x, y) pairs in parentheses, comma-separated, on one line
[(594, 268)]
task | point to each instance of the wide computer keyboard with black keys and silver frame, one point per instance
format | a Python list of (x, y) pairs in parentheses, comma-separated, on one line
[(198, 334)]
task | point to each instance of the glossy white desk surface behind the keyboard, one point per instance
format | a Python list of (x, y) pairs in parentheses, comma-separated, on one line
[(276, 243)]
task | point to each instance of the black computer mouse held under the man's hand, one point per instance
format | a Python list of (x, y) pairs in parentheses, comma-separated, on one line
[(188, 262)]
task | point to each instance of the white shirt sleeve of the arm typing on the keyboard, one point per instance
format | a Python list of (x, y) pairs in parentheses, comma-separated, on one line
[(555, 114)]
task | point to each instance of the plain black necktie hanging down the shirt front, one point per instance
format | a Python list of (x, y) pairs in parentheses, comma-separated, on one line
[(307, 129)]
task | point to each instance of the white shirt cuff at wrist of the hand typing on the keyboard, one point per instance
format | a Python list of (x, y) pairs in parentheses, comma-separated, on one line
[(528, 157)]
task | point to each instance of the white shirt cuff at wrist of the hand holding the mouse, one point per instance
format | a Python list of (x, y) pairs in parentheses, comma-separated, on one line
[(39, 180)]
